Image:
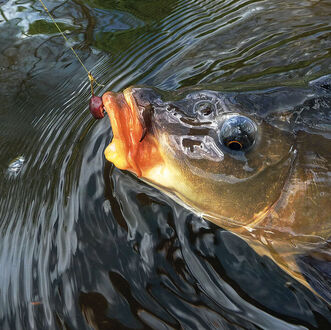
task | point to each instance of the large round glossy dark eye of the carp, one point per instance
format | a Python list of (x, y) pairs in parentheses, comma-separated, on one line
[(238, 133)]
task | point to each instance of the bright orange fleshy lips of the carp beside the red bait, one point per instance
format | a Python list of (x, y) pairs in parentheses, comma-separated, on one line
[(125, 150)]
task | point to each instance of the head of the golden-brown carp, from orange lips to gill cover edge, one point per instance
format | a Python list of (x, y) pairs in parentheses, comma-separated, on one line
[(203, 149)]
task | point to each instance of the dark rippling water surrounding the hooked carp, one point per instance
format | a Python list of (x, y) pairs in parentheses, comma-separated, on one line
[(84, 244)]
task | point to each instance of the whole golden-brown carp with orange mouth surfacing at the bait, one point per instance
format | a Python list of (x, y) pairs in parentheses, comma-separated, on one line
[(257, 163)]
